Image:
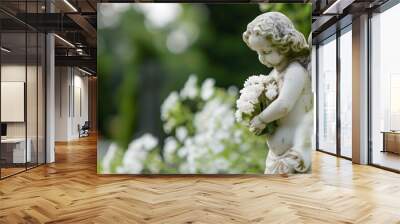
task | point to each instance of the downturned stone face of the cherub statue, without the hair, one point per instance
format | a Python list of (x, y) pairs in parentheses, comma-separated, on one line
[(267, 54)]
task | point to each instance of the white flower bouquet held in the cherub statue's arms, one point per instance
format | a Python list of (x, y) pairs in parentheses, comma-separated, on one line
[(258, 92)]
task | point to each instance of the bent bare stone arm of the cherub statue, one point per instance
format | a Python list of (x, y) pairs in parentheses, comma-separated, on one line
[(292, 87)]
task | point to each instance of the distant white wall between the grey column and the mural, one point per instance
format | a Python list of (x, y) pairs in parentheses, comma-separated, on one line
[(71, 87)]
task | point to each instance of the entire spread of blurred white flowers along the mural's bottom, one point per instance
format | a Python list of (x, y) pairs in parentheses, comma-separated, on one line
[(201, 137)]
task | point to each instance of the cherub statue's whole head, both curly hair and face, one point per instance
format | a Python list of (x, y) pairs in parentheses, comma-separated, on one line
[(273, 36)]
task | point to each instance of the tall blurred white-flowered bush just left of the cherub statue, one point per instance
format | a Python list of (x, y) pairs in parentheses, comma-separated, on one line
[(211, 142)]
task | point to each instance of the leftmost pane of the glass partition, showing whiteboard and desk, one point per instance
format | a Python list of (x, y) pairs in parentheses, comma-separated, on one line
[(14, 154)]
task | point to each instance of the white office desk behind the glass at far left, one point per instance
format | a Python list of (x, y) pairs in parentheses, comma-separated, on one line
[(17, 150)]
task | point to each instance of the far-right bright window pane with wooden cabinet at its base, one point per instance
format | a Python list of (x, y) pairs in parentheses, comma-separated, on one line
[(385, 89)]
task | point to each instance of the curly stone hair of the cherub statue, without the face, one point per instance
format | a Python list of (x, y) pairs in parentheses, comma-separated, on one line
[(278, 29)]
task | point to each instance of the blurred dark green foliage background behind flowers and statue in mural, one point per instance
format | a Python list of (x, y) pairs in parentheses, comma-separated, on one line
[(128, 47)]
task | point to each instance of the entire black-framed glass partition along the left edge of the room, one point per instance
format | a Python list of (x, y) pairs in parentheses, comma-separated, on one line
[(22, 107)]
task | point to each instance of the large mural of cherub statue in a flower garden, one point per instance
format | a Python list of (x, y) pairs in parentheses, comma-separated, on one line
[(204, 89)]
